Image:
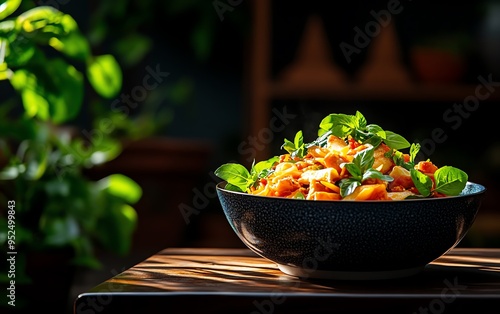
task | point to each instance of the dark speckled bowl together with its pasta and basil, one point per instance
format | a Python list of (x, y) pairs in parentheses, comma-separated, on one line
[(350, 205)]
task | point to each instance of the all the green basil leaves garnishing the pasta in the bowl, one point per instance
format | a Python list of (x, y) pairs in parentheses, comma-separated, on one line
[(447, 180)]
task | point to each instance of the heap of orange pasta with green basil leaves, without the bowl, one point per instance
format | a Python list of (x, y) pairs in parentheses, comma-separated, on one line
[(350, 160)]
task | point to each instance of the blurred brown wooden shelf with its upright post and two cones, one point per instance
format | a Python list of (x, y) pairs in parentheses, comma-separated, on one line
[(313, 74)]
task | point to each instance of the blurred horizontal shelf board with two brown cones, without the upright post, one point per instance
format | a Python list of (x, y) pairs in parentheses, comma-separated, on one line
[(315, 74)]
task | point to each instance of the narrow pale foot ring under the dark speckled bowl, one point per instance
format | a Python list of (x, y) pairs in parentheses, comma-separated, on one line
[(349, 275)]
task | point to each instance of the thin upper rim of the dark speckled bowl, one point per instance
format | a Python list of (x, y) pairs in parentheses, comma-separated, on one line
[(482, 190)]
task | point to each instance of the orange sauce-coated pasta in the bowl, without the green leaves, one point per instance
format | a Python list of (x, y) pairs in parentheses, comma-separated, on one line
[(316, 175)]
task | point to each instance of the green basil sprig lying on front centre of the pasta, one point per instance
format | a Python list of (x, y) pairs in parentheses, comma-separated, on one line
[(360, 169)]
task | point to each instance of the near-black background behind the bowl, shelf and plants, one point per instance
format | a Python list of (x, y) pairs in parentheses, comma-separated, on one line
[(189, 40)]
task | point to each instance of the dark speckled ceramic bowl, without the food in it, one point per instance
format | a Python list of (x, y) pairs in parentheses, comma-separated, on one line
[(351, 240)]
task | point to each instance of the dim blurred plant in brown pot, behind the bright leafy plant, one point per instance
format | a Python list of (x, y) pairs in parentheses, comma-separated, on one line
[(166, 162)]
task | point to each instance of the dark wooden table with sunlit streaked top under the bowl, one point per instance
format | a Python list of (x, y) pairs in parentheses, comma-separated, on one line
[(204, 280)]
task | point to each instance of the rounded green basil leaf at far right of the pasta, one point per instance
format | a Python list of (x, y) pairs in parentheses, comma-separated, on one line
[(450, 180)]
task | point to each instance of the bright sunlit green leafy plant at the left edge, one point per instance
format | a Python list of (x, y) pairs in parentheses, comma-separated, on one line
[(53, 216)]
